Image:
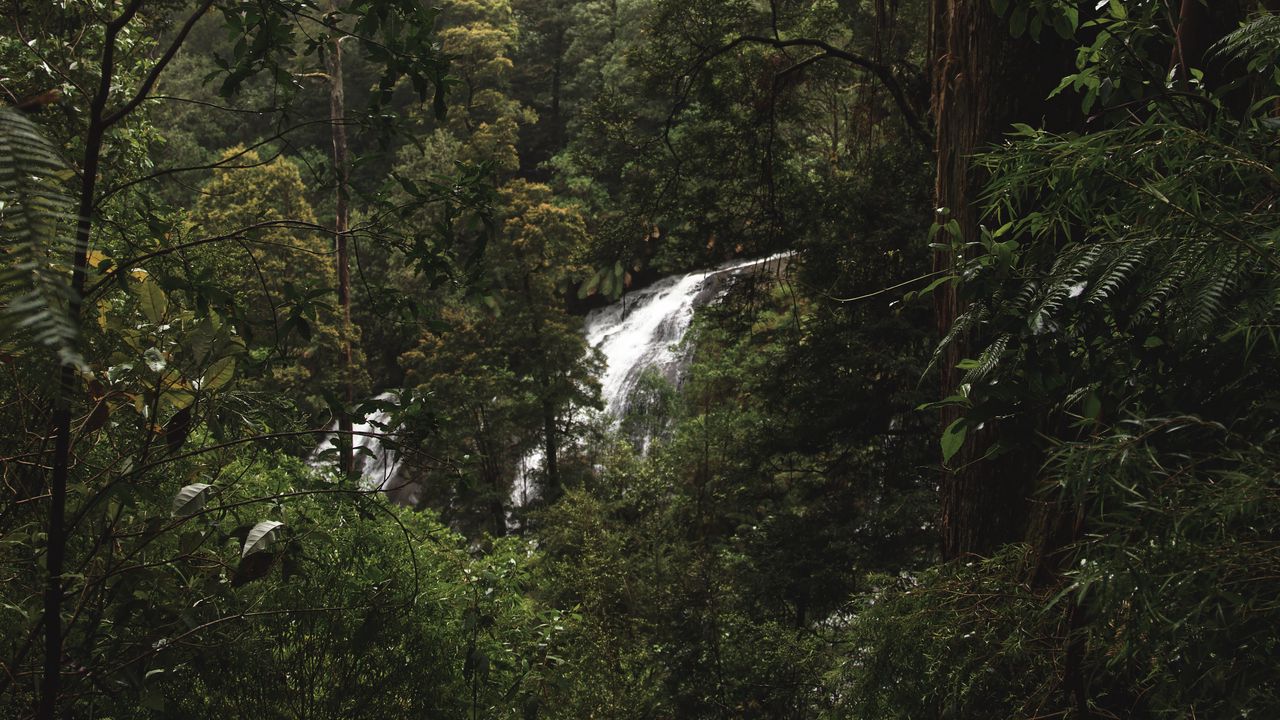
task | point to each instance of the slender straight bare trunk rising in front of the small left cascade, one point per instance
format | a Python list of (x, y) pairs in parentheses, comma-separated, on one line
[(337, 115)]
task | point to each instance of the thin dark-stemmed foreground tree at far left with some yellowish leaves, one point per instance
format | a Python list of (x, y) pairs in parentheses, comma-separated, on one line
[(177, 358)]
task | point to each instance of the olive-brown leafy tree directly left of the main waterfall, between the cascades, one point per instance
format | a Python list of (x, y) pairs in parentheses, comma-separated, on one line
[(510, 371)]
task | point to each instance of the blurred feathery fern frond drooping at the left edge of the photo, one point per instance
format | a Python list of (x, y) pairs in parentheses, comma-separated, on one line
[(35, 289)]
